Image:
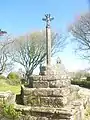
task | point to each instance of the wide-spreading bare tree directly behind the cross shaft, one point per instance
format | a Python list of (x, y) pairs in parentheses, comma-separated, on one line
[(30, 50)]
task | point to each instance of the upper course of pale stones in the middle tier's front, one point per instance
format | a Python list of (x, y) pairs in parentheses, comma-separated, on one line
[(47, 92)]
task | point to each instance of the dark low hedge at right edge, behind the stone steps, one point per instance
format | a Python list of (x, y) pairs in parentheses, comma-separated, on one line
[(84, 83)]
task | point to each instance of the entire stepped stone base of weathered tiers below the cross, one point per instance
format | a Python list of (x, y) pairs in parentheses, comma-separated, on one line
[(51, 98)]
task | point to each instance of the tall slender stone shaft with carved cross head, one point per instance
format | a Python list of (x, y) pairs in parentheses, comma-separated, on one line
[(47, 19)]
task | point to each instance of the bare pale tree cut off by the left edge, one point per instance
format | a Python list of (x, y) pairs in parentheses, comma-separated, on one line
[(5, 63)]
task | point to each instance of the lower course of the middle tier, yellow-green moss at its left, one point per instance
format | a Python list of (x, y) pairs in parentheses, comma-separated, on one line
[(45, 101)]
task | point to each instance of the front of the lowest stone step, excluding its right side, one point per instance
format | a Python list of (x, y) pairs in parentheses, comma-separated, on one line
[(47, 113)]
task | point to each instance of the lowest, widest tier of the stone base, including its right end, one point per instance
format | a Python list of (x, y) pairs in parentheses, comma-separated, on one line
[(51, 113)]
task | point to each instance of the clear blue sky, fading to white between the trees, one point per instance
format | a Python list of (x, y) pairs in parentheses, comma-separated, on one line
[(18, 17)]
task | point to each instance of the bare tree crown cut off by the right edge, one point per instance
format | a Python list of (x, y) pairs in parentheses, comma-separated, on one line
[(81, 33)]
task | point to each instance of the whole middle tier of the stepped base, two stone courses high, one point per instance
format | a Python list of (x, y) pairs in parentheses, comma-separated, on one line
[(51, 97)]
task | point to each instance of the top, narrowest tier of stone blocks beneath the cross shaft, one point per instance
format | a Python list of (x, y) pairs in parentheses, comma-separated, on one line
[(50, 81)]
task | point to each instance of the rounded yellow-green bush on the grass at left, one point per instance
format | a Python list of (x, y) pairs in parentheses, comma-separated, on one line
[(13, 79)]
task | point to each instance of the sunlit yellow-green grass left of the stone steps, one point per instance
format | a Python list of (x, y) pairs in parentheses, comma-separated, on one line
[(5, 87)]
